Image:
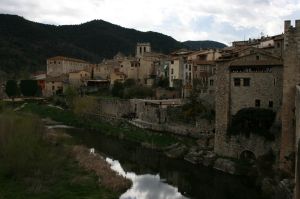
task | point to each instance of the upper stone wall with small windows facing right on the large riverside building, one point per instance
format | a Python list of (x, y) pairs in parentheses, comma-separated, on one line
[(264, 86)]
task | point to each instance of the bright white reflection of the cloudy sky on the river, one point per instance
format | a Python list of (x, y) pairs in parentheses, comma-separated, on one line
[(145, 186)]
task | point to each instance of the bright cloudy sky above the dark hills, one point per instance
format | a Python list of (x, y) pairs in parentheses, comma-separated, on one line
[(220, 20)]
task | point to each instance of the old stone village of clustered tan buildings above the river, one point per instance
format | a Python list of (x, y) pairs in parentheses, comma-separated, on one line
[(240, 102)]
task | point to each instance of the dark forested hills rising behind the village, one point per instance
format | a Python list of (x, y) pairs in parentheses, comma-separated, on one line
[(25, 45)]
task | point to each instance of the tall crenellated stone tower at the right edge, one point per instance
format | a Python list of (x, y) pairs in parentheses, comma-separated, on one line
[(291, 78)]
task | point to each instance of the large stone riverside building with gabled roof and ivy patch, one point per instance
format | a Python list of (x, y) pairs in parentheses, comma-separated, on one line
[(252, 79)]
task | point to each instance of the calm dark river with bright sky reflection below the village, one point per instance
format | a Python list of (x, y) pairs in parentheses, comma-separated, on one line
[(155, 176)]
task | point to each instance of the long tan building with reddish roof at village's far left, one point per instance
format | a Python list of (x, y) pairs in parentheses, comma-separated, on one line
[(59, 65)]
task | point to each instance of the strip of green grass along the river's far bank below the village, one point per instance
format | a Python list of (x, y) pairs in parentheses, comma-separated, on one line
[(121, 130)]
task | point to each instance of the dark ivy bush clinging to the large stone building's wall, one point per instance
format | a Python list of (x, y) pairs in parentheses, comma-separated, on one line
[(253, 120)]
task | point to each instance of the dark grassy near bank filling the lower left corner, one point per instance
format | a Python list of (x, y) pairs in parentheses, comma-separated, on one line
[(34, 167)]
